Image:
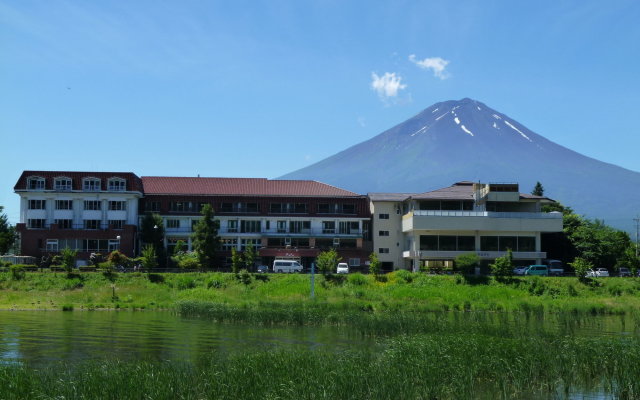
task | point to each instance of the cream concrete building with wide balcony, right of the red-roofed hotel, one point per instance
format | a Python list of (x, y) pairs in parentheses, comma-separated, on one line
[(431, 229)]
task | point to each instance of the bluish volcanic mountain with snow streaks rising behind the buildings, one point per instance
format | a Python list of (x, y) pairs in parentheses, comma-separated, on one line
[(467, 140)]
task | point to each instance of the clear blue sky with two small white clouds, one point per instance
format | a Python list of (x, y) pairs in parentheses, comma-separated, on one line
[(259, 89)]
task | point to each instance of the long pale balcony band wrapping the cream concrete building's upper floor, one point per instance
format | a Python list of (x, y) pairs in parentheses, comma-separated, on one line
[(482, 221)]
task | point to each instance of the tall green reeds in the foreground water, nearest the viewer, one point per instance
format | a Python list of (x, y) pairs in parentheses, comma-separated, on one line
[(426, 366)]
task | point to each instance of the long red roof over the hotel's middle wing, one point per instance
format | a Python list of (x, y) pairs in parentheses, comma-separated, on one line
[(239, 187)]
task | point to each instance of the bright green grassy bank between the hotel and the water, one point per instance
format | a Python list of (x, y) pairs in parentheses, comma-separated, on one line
[(400, 291)]
